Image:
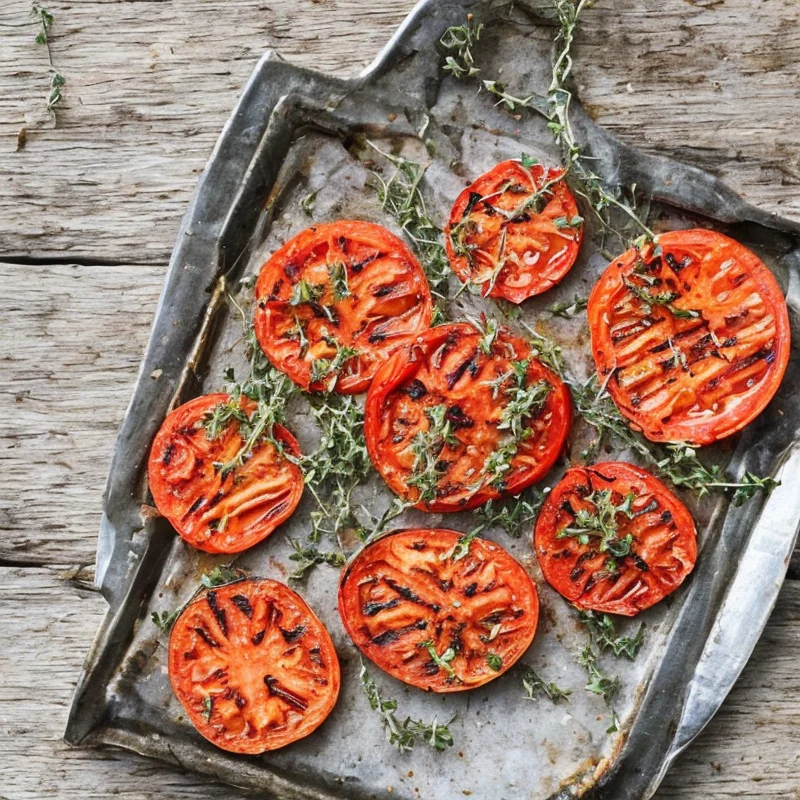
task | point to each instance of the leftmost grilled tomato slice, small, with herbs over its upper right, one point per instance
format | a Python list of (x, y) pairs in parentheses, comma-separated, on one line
[(220, 497)]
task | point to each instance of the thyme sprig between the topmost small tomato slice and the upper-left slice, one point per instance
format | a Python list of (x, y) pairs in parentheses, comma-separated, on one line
[(401, 197)]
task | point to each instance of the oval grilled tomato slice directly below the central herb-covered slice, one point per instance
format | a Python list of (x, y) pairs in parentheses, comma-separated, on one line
[(434, 616)]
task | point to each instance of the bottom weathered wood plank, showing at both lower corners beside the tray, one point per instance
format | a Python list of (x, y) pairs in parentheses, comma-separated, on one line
[(48, 624)]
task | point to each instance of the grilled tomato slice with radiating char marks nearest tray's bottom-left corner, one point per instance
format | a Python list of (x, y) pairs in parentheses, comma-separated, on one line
[(252, 666)]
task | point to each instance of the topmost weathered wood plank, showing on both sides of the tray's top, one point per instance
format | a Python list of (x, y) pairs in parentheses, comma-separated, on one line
[(151, 84)]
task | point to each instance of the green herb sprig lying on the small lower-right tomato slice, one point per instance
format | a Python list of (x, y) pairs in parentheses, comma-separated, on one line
[(600, 527)]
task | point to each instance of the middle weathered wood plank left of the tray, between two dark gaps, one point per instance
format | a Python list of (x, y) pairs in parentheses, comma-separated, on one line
[(71, 341)]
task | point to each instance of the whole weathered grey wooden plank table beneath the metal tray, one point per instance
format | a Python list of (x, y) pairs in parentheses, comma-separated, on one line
[(88, 214)]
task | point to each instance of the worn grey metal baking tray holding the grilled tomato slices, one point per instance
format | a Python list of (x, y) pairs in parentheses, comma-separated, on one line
[(296, 132)]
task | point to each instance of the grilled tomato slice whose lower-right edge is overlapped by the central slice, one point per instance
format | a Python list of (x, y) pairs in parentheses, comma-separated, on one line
[(336, 300)]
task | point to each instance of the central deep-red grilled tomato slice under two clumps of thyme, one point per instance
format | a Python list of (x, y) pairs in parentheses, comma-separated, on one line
[(387, 406)]
